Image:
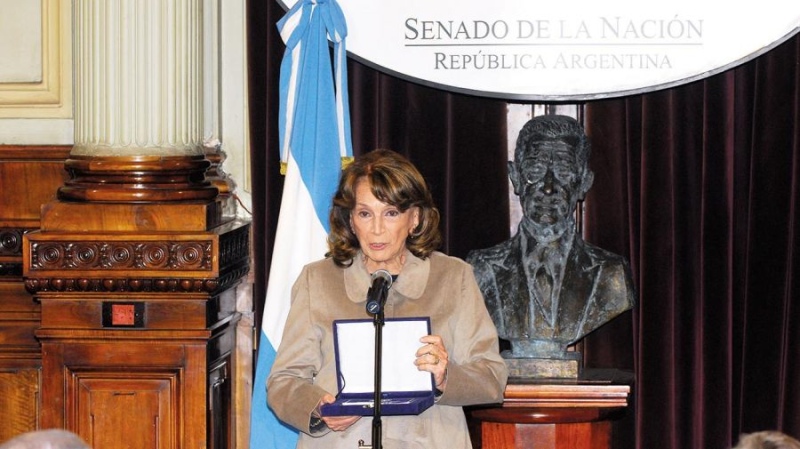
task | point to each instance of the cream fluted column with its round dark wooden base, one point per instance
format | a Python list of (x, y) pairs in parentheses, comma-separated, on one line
[(138, 102)]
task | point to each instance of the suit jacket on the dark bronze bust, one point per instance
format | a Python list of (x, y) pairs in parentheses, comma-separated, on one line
[(596, 287)]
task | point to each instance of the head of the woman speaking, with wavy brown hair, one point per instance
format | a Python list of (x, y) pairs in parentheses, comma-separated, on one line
[(382, 206)]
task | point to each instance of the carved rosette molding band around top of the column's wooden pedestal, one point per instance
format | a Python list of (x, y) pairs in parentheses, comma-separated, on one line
[(190, 265)]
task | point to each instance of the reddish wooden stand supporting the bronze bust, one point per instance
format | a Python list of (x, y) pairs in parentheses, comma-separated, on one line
[(553, 414)]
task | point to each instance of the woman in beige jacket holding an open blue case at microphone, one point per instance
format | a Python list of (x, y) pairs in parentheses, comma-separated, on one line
[(383, 218)]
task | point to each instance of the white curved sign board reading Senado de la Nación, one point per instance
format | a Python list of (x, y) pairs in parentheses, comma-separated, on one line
[(562, 50)]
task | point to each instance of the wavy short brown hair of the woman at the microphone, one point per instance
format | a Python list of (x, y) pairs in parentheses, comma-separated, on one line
[(394, 180)]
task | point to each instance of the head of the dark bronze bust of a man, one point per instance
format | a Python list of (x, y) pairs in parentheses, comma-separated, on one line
[(550, 172)]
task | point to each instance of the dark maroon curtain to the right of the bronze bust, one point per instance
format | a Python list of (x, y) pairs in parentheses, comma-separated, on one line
[(700, 187)]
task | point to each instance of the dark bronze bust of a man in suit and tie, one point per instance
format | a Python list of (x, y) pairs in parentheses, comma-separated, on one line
[(546, 287)]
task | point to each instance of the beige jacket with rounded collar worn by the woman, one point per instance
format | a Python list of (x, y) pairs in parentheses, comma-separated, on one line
[(441, 287)]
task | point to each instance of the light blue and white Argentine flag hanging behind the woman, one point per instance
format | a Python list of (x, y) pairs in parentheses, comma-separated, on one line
[(314, 125)]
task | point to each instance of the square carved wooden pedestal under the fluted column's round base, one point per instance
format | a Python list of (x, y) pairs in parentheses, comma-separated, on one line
[(138, 322)]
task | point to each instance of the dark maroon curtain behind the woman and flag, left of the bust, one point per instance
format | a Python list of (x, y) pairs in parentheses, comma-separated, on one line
[(458, 142)]
